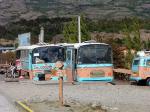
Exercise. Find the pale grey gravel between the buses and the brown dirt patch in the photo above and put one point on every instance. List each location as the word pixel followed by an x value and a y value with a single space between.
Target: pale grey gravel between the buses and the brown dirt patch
pixel 114 98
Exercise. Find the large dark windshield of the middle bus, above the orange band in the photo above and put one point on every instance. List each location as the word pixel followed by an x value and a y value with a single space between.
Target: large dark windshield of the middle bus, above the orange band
pixel 95 54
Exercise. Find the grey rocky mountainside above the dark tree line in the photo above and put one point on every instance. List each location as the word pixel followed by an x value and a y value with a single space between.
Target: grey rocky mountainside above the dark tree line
pixel 14 10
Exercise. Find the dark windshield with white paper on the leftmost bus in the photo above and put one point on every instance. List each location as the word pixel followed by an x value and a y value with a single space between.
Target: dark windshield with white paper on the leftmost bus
pixel 49 54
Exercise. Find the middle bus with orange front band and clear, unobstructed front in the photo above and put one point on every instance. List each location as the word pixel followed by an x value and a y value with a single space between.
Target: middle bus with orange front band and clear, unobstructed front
pixel 88 62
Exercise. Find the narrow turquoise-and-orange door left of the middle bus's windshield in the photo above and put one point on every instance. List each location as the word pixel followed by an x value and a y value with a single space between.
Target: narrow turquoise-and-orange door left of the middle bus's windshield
pixel 70 64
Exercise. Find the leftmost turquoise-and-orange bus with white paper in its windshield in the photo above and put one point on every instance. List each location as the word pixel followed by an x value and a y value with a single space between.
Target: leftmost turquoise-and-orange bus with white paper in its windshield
pixel 38 60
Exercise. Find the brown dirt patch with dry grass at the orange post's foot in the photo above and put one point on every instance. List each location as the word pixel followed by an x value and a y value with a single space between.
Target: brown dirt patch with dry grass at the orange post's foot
pixel 54 106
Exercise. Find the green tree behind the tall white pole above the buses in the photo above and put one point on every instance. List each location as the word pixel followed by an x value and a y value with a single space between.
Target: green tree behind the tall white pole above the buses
pixel 70 31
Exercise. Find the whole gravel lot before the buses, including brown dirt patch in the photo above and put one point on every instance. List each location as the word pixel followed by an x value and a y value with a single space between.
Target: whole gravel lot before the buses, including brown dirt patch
pixel 98 97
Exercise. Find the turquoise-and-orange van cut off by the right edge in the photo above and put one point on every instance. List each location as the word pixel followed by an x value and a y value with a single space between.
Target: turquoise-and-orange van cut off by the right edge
pixel 141 67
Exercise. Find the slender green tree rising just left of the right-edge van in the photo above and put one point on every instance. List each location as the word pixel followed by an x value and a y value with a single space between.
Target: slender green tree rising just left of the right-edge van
pixel 132 40
